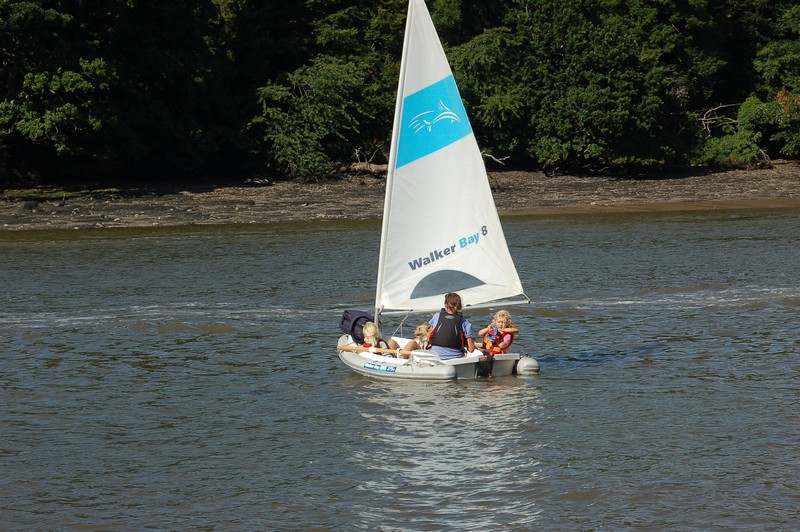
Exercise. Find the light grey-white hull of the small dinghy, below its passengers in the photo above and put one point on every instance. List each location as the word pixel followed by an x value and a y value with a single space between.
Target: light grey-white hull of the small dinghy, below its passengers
pixel 426 365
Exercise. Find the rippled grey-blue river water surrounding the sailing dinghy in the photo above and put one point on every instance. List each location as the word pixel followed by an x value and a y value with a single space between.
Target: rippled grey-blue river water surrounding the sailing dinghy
pixel 186 378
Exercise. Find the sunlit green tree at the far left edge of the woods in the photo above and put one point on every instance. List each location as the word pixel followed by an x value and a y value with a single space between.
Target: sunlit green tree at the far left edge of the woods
pixel 55 86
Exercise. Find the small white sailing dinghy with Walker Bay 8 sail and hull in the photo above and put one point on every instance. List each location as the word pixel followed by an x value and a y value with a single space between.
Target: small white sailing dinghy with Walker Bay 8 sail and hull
pixel 441 232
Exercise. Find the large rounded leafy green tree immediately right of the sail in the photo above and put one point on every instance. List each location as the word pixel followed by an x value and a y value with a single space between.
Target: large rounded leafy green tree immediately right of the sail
pixel 568 84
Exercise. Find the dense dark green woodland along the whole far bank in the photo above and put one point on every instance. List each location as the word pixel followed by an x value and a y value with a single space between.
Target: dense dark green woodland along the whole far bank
pixel 109 89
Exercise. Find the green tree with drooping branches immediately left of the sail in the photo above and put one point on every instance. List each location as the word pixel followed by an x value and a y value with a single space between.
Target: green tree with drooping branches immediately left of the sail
pixel 339 107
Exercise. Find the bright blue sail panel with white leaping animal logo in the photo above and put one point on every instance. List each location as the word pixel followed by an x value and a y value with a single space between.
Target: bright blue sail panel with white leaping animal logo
pixel 433 118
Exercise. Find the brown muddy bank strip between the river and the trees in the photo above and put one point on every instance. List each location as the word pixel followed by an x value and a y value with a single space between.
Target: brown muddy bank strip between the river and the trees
pixel 361 197
